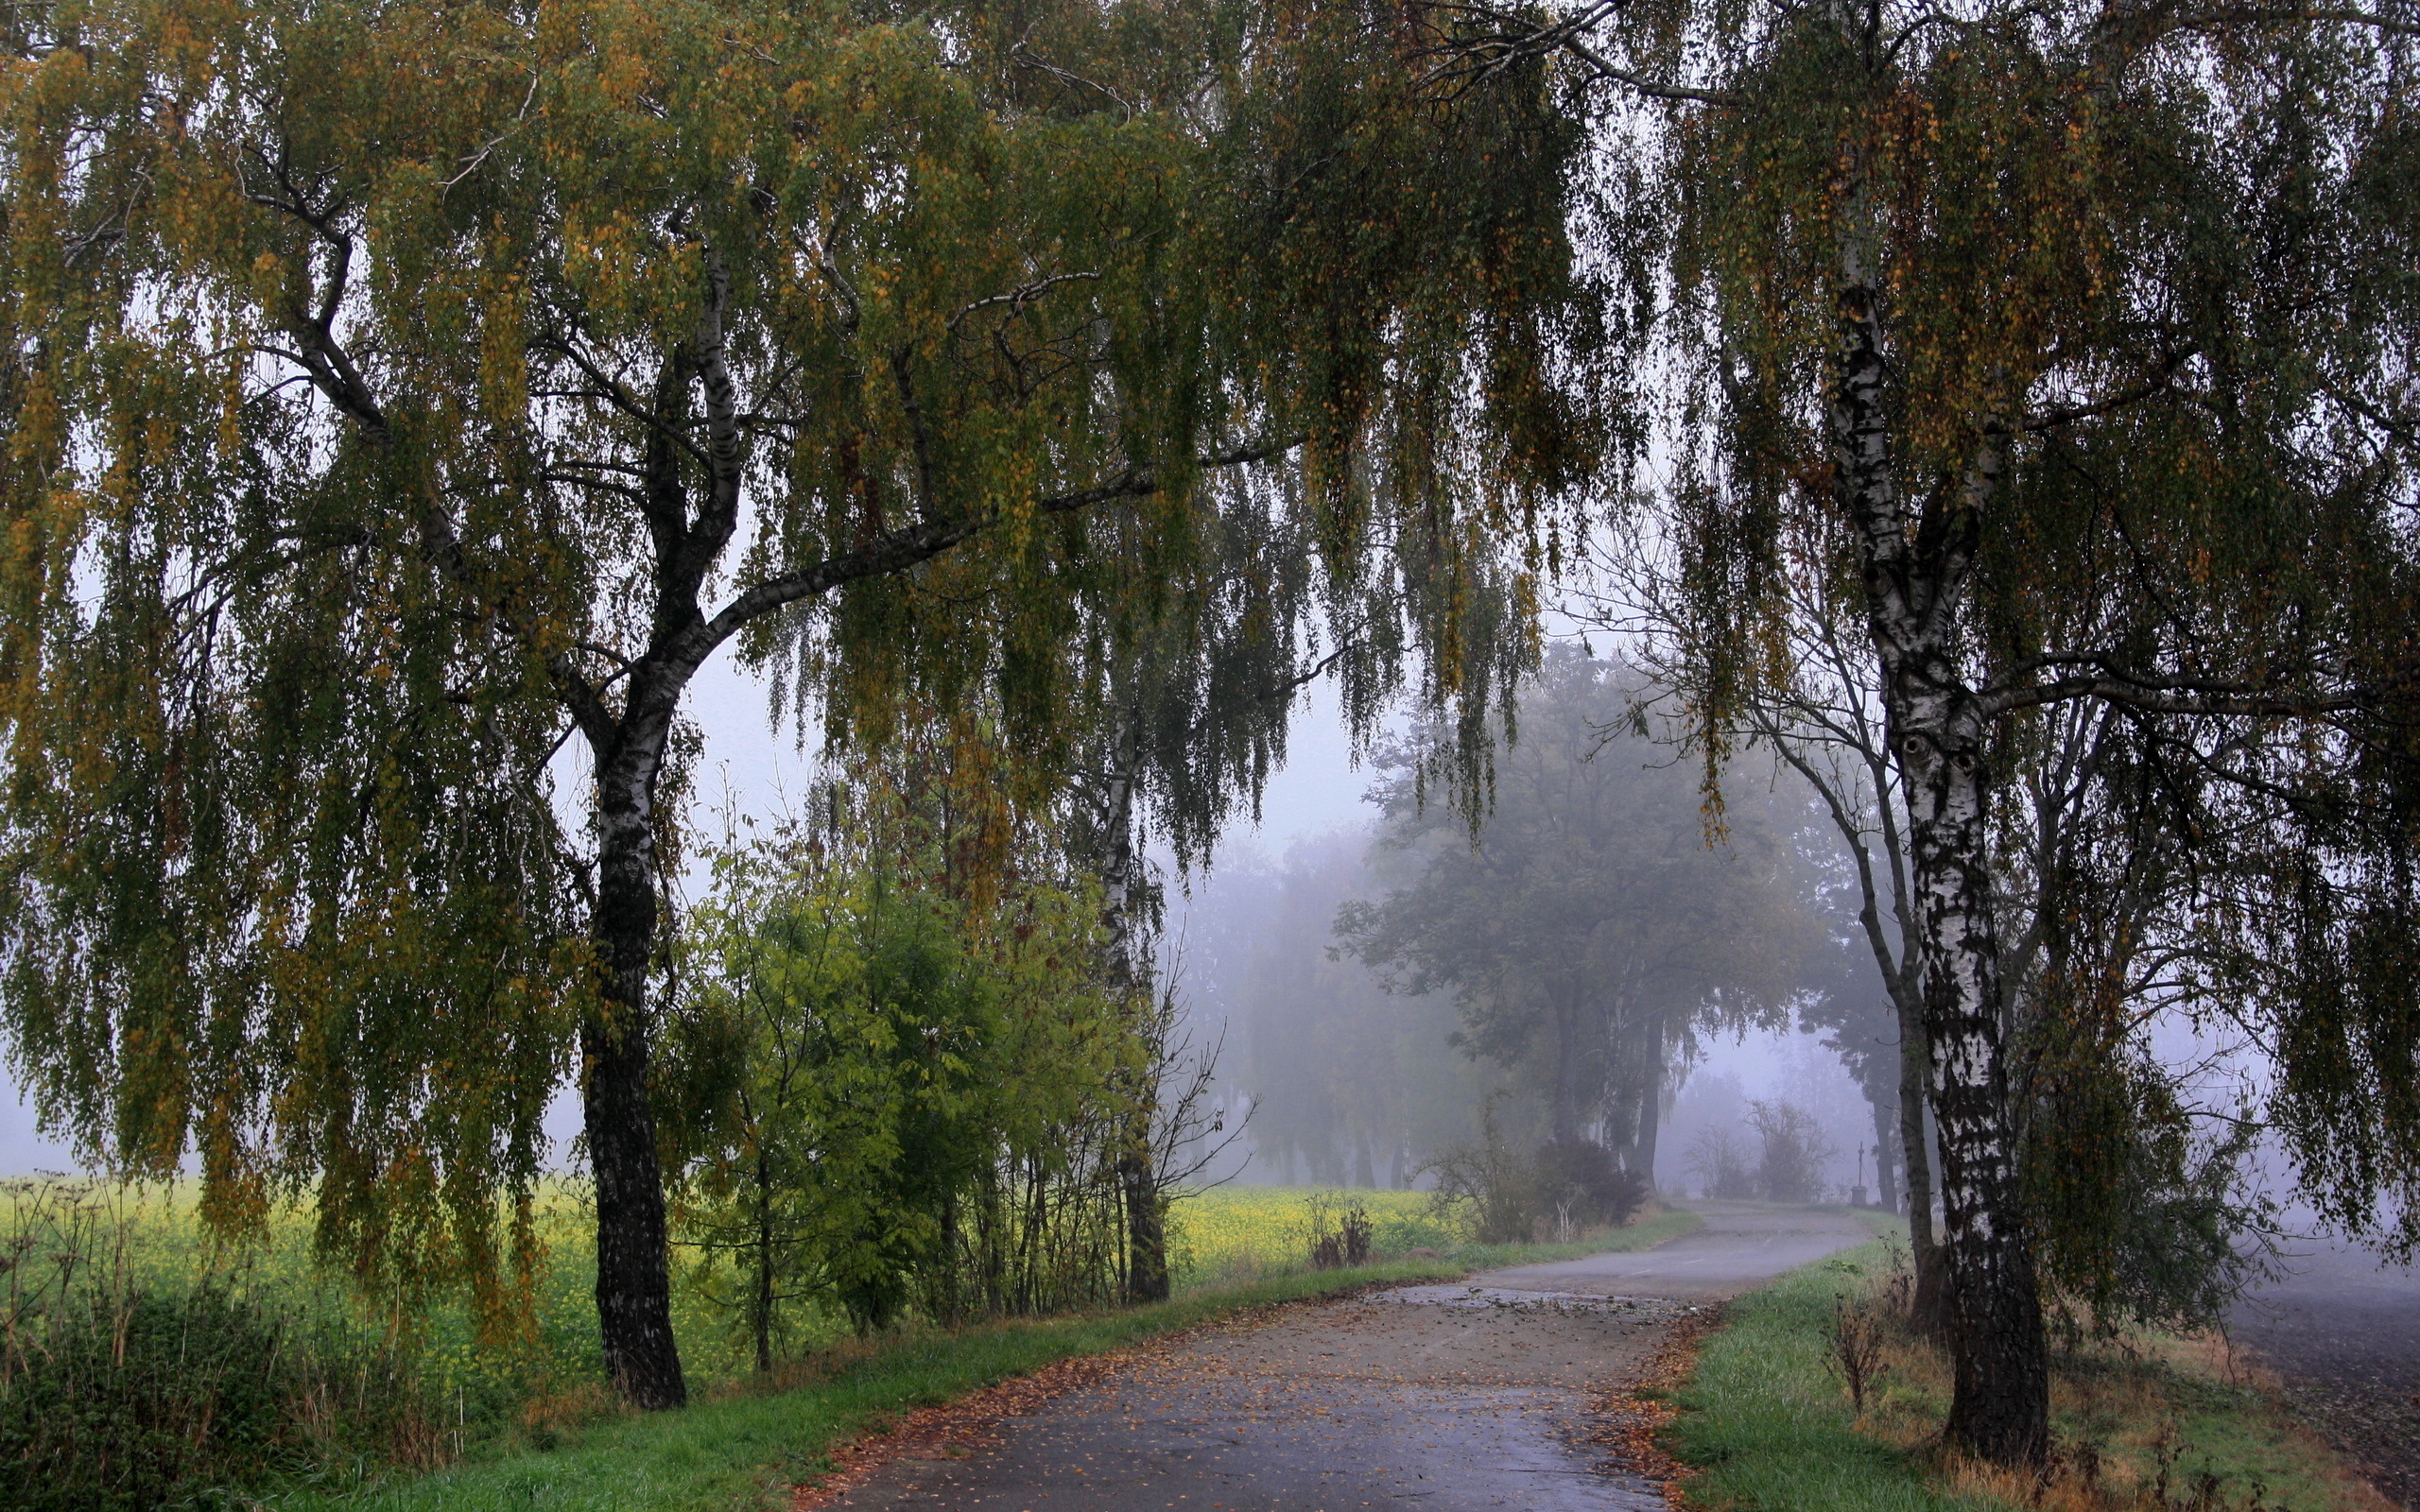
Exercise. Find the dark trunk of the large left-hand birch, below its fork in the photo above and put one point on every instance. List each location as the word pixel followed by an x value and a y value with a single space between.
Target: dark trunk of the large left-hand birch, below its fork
pixel 635 1286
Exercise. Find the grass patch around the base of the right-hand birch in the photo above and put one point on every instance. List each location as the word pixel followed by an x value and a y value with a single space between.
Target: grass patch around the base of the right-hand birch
pixel 2143 1424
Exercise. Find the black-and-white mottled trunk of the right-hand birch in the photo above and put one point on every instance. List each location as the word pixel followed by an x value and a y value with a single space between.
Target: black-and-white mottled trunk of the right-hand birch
pixel 1913 596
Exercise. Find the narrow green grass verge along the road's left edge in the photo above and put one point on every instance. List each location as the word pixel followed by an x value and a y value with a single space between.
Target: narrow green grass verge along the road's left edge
pixel 749 1448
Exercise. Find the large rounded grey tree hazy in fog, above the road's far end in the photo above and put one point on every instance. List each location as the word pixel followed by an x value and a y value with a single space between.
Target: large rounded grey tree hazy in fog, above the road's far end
pixel 1586 925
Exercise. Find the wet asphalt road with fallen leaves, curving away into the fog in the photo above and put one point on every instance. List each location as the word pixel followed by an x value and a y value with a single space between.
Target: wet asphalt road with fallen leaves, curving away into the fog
pixel 1456 1400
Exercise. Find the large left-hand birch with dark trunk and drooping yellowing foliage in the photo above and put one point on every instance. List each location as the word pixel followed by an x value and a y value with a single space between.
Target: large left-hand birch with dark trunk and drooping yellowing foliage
pixel 401 398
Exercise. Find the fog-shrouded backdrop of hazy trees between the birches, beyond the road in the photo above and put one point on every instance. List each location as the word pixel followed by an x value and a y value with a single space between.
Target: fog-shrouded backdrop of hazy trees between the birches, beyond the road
pixel 1606 959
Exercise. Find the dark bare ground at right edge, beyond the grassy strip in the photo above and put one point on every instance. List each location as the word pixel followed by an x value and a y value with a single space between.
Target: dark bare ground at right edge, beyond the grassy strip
pixel 2344 1332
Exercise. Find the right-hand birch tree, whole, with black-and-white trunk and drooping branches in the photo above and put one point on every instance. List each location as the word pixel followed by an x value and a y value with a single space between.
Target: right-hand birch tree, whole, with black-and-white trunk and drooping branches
pixel 2092 328
